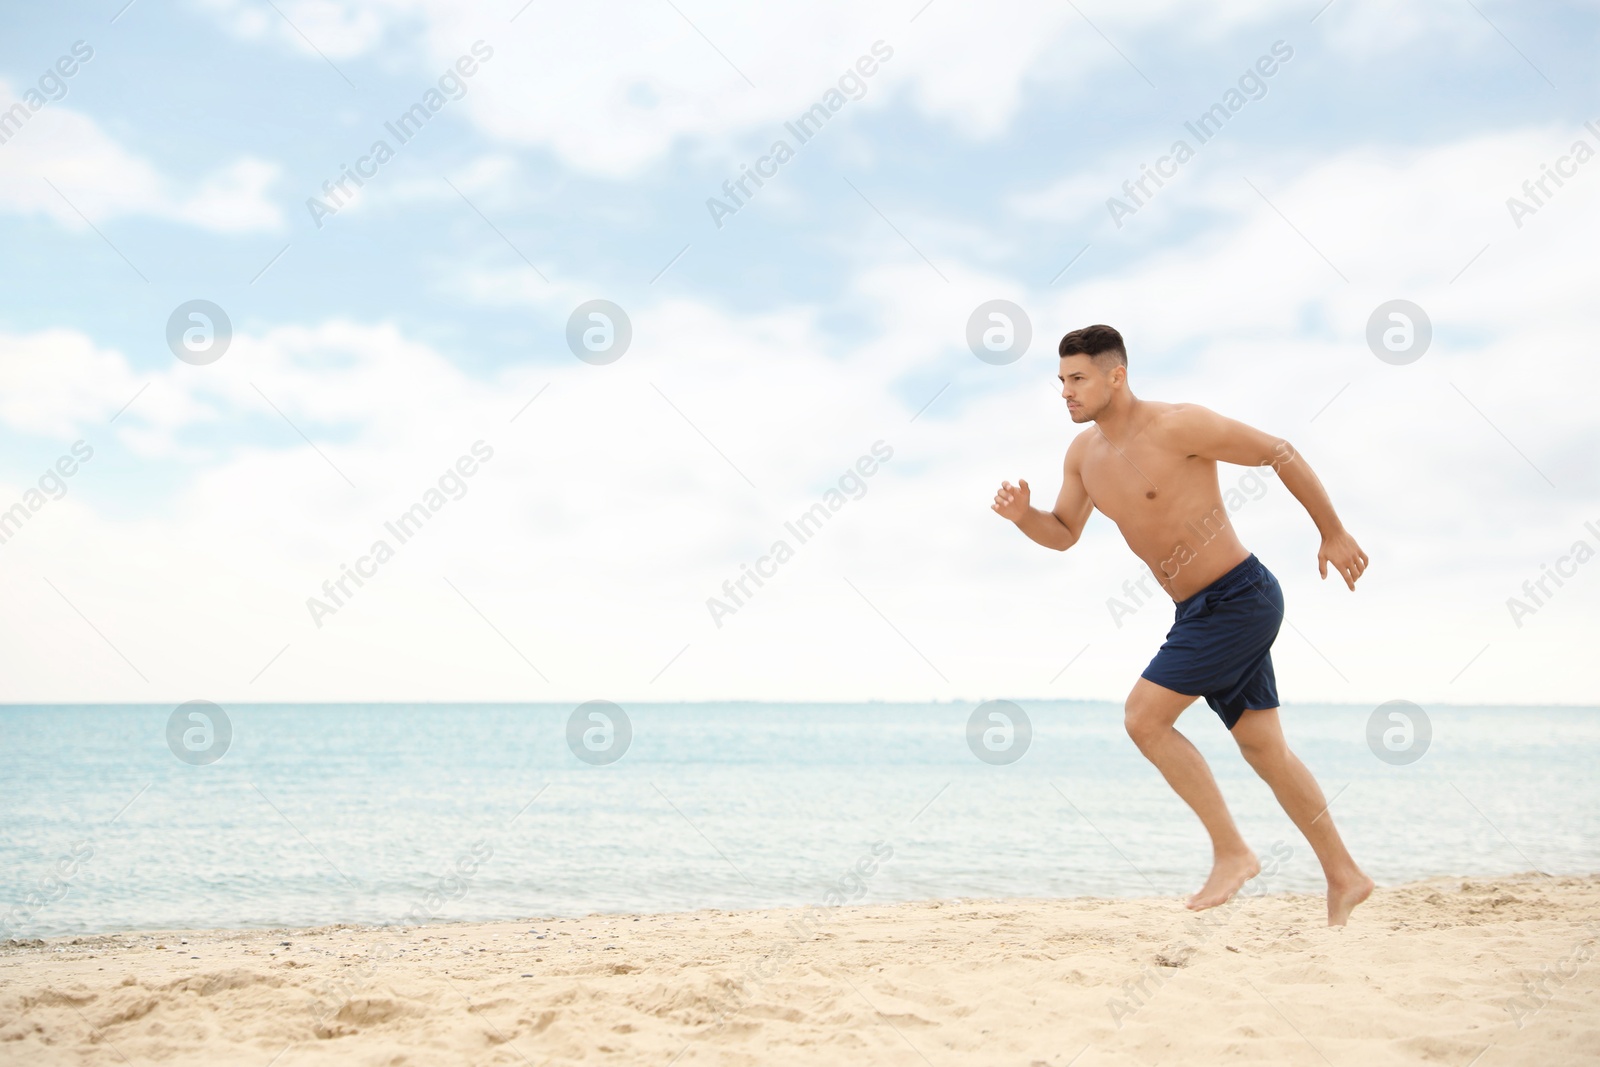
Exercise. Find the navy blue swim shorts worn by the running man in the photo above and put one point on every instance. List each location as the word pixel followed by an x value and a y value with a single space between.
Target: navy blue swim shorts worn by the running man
pixel 1222 644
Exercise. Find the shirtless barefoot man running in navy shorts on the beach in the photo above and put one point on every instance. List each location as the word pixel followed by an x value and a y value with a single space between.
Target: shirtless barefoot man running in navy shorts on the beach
pixel 1151 468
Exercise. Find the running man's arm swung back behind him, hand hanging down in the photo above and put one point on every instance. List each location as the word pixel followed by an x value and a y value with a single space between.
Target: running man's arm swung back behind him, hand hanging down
pixel 1210 436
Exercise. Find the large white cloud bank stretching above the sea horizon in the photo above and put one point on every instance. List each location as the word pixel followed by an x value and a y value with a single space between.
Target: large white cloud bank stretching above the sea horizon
pixel 607 516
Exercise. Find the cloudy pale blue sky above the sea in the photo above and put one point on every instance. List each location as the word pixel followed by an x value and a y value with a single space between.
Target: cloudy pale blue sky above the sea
pixel 281 274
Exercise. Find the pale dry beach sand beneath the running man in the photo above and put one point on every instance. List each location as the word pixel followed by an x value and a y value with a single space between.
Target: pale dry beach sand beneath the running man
pixel 1425 975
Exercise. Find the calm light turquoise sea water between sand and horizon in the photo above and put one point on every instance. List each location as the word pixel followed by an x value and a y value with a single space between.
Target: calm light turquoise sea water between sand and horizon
pixel 377 813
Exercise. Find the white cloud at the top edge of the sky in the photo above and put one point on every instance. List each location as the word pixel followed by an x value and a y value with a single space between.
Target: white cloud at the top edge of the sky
pixel 614 87
